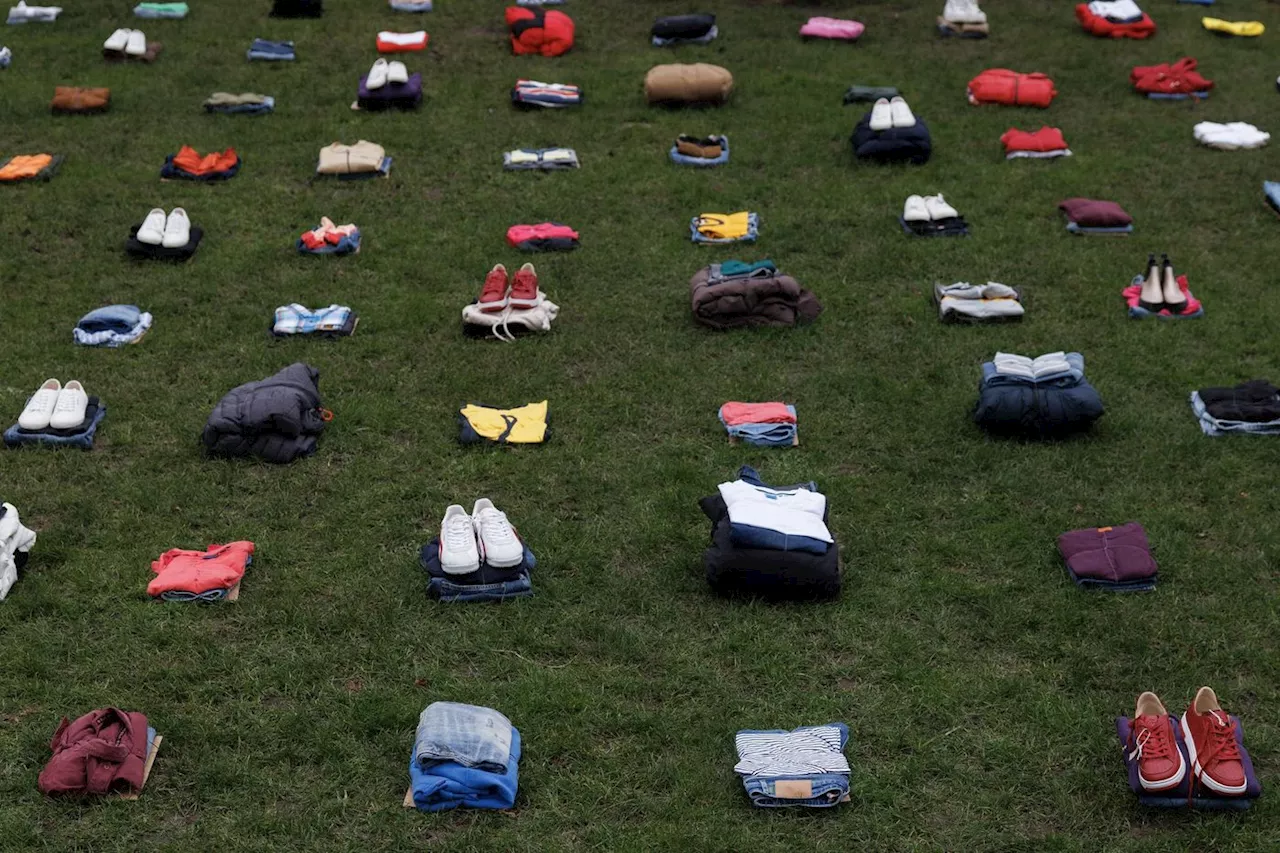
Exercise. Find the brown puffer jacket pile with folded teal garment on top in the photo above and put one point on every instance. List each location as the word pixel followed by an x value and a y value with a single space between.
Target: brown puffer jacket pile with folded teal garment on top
pixel 734 295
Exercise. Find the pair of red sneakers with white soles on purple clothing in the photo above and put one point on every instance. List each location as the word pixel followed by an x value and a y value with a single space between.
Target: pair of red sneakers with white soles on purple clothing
pixel 1209 735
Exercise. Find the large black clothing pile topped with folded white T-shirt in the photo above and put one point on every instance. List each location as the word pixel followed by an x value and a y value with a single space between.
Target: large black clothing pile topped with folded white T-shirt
pixel 770 542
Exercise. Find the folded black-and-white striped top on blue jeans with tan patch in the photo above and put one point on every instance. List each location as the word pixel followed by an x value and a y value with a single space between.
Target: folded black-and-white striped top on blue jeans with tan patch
pixel 806 767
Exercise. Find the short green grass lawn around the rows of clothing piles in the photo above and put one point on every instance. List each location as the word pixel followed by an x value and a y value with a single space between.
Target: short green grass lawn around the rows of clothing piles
pixel 980 686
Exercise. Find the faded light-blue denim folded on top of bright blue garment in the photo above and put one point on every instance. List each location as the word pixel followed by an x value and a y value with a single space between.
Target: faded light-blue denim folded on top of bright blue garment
pixel 464 755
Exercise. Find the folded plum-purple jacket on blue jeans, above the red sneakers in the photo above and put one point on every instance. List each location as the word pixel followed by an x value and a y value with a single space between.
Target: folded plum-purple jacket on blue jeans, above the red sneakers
pixel 1117 559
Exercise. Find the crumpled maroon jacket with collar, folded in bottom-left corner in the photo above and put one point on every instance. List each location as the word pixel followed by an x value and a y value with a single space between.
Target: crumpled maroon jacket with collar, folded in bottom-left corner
pixel 103 752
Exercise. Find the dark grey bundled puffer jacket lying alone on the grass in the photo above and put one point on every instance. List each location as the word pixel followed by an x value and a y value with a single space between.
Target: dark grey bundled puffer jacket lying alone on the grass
pixel 277 419
